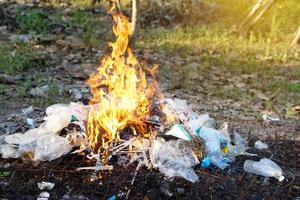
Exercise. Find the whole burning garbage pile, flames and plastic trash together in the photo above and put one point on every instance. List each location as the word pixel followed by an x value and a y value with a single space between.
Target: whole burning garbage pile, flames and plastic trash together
pixel 129 119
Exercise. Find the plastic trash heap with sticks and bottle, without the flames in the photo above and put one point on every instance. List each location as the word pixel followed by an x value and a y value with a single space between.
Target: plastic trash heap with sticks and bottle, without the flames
pixel 188 140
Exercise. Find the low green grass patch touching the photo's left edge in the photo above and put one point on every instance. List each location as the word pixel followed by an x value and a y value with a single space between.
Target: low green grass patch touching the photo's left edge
pixel 17 58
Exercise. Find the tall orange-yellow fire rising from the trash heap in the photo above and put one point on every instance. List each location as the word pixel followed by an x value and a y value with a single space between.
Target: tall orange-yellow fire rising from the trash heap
pixel 121 94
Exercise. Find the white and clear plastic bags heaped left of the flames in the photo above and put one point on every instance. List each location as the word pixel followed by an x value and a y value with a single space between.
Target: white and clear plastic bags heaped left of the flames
pixel 44 143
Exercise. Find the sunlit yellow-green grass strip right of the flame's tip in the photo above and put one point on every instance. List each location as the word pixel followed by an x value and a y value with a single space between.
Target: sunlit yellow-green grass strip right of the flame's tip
pixel 222 48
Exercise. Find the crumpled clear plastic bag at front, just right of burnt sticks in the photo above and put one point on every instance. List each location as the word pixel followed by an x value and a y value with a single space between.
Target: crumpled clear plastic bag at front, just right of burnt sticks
pixel 174 158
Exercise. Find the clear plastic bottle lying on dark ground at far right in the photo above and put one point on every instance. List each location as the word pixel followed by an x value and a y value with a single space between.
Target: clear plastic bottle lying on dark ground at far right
pixel 264 167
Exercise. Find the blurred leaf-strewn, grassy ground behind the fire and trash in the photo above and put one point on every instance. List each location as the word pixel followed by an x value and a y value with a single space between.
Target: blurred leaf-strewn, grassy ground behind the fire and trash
pixel 235 58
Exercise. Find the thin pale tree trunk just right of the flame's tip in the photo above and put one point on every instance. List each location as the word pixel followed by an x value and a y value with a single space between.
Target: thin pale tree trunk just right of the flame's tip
pixel 134 22
